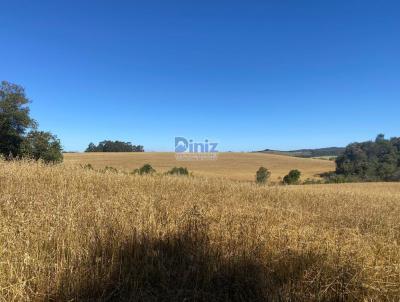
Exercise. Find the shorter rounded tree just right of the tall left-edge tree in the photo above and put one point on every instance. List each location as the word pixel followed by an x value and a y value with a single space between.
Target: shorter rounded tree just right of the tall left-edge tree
pixel 40 145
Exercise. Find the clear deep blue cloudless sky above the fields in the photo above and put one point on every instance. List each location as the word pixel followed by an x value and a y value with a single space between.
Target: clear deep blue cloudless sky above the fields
pixel 249 74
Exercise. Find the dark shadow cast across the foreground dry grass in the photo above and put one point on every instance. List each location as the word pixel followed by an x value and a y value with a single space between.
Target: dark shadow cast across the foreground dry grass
pixel 185 267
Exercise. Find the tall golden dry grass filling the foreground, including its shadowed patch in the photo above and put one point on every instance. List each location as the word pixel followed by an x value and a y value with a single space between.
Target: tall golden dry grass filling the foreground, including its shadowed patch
pixel 68 234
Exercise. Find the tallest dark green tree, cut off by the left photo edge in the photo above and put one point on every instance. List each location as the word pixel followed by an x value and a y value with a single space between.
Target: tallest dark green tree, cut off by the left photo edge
pixel 14 118
